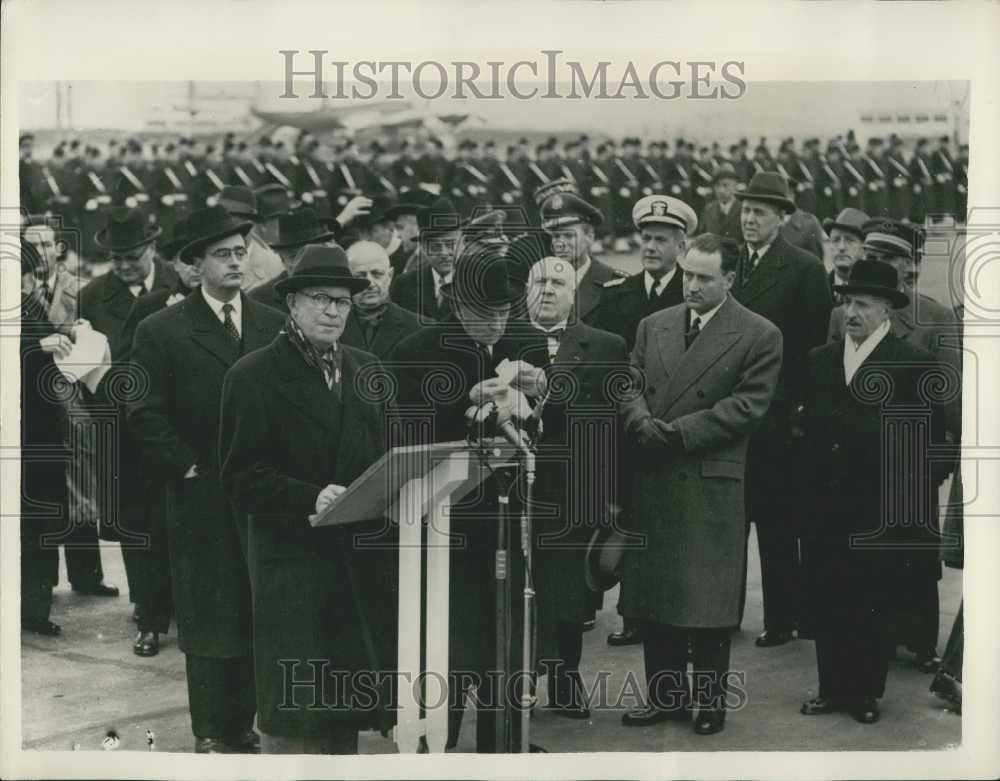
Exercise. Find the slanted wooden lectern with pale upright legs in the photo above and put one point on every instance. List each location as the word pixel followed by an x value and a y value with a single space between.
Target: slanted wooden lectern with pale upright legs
pixel 406 485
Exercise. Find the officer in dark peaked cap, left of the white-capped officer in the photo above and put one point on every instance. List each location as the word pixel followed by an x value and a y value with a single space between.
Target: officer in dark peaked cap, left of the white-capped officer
pixel 571 221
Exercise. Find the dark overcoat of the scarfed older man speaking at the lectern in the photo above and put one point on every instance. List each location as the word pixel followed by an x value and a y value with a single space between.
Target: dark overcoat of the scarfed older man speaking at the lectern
pixel 318 593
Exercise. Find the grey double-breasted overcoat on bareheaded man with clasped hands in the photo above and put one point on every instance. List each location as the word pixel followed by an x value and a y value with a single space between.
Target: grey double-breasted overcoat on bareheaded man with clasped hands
pixel 689 504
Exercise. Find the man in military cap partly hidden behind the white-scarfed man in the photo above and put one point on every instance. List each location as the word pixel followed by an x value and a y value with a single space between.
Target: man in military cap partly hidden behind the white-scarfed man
pixel 933 327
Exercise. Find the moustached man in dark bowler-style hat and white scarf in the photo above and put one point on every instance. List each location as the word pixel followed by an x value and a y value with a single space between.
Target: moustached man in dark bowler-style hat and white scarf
pixel 857 545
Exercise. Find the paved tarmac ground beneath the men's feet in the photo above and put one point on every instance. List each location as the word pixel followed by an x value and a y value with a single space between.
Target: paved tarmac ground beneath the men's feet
pixel 78 686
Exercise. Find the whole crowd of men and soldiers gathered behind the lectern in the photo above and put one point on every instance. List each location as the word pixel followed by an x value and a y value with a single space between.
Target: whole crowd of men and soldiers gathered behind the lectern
pixel 269 341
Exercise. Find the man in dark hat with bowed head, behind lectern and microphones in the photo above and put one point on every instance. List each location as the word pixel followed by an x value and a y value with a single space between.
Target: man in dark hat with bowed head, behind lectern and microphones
pixel 466 347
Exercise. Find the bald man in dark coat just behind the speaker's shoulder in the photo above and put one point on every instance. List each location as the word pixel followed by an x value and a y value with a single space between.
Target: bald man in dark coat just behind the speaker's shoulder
pixel 375 324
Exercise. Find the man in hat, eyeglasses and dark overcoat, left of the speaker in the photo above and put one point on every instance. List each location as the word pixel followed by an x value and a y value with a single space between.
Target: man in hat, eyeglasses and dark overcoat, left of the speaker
pixel 183 352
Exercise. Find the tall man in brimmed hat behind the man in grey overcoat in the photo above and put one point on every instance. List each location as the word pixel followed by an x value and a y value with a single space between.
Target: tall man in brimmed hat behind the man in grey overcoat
pixel 788 286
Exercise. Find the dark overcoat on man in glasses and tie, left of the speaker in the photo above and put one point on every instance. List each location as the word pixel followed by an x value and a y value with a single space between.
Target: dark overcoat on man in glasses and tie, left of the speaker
pixel 182 353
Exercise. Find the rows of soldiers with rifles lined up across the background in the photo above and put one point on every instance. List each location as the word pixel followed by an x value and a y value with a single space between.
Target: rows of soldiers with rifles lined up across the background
pixel 166 179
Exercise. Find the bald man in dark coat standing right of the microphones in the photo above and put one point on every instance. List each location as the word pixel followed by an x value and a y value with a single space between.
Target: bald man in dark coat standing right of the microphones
pixel 575 481
